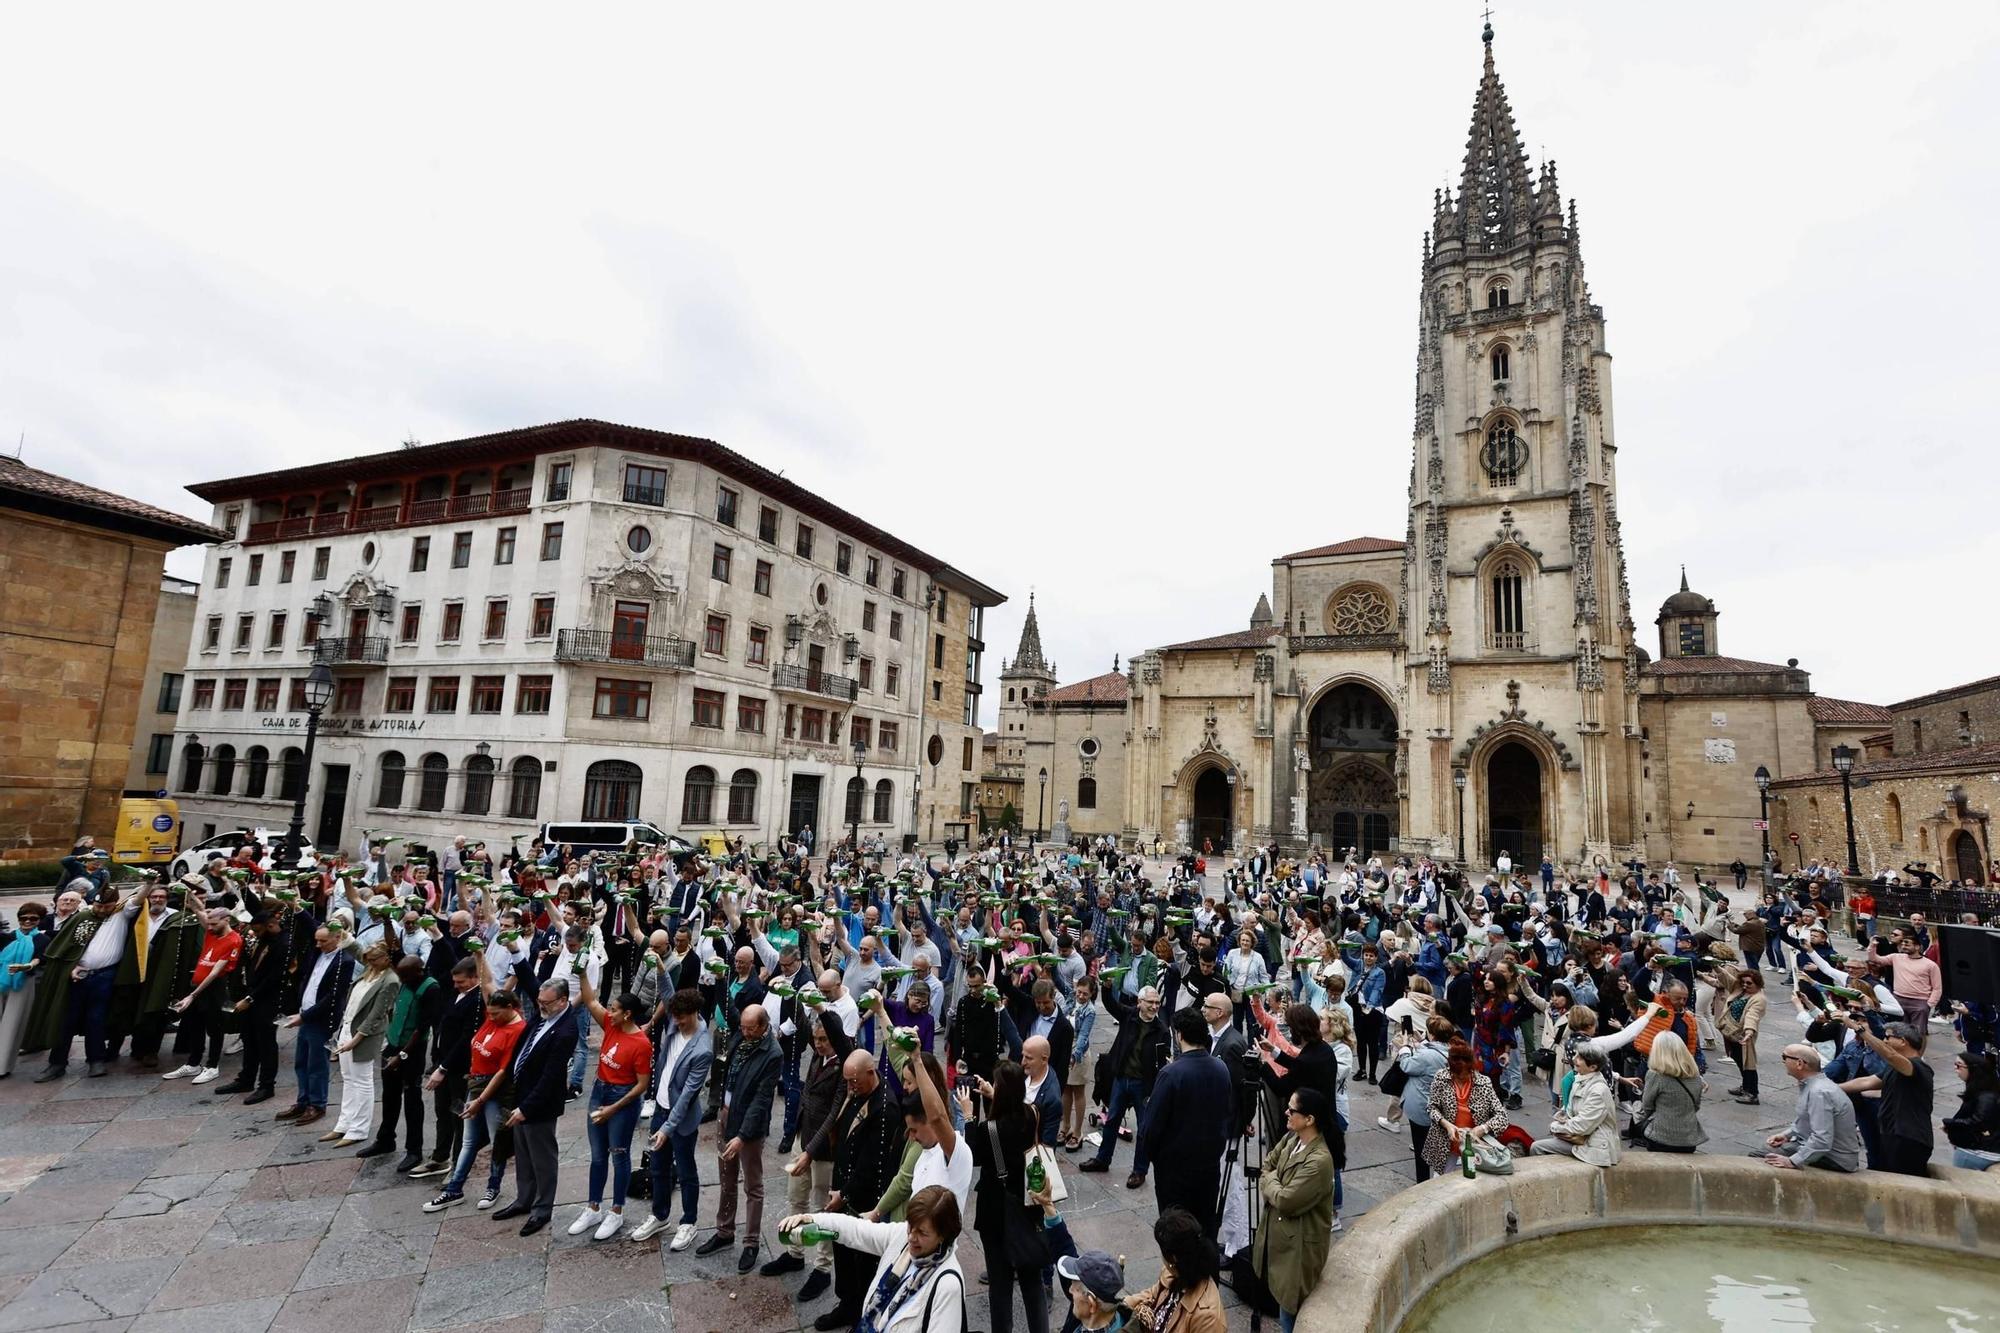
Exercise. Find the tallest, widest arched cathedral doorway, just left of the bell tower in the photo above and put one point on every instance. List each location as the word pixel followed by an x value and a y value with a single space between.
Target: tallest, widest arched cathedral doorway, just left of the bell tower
pixel 1351 798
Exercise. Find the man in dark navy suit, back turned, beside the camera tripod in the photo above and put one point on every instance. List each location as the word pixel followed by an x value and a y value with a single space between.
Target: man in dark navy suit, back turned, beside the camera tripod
pixel 1189 1124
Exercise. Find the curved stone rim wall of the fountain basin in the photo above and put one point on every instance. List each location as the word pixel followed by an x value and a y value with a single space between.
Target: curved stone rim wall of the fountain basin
pixel 1415 1240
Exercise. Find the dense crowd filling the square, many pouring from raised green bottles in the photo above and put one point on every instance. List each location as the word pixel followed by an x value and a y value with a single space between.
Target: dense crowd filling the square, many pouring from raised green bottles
pixel 935 1042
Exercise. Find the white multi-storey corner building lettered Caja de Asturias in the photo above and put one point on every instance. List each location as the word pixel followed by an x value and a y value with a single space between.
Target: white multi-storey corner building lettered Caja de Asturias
pixel 571 621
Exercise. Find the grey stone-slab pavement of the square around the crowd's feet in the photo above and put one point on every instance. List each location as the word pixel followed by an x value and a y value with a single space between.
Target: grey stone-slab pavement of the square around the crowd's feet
pixel 139 1204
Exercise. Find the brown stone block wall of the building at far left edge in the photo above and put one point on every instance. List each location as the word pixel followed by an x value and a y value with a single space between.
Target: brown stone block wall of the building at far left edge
pixel 75 633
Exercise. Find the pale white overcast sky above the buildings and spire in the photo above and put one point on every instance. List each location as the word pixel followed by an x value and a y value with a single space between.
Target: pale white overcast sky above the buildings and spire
pixel 1109 301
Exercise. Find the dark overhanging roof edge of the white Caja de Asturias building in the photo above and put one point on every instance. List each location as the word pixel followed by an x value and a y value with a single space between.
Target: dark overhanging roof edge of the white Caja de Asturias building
pixel 581 433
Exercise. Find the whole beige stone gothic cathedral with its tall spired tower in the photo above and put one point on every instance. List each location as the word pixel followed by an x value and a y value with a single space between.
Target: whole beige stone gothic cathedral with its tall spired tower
pixel 1477 688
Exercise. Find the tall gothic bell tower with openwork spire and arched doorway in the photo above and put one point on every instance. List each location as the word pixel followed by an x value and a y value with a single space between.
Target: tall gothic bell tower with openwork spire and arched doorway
pixel 1521 668
